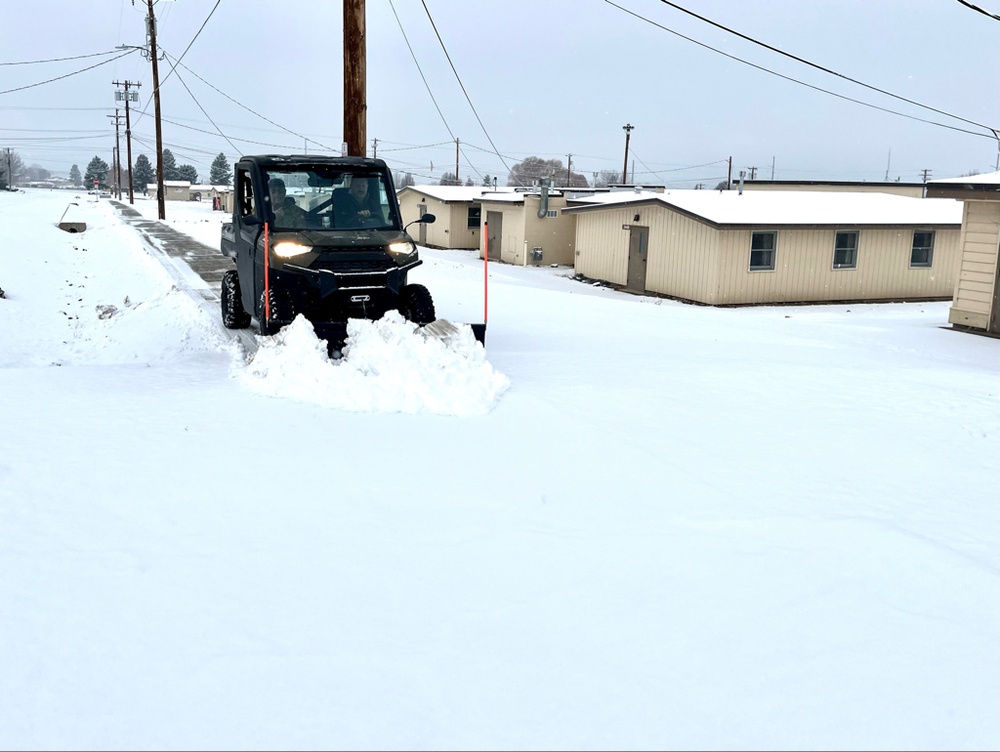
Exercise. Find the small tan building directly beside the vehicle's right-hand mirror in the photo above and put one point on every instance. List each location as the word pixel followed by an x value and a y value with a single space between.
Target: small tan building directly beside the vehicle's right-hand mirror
pixel 457 215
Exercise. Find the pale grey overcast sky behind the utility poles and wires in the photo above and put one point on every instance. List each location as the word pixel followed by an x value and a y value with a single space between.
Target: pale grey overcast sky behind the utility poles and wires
pixel 546 77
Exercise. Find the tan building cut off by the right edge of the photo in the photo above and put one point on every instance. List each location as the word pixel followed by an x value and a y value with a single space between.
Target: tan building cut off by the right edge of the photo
pixel 975 305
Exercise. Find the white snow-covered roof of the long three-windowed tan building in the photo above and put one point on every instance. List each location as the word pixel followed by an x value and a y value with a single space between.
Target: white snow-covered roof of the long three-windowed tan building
pixel 791 207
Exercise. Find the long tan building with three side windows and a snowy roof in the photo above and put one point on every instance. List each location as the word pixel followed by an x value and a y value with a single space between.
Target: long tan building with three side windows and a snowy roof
pixel 755 247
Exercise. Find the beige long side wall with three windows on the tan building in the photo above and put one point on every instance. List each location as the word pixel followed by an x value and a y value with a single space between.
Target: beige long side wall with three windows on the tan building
pixel 804 267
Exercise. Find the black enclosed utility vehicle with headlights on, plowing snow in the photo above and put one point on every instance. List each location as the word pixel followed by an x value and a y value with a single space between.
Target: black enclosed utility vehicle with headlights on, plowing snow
pixel 320 236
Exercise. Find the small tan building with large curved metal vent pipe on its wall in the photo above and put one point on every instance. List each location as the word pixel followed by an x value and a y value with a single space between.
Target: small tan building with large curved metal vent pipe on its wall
pixel 528 228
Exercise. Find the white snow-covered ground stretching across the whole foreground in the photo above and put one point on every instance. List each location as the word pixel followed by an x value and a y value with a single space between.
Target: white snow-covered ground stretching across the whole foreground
pixel 630 523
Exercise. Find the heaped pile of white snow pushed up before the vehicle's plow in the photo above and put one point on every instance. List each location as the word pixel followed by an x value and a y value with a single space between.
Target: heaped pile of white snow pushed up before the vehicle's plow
pixel 389 365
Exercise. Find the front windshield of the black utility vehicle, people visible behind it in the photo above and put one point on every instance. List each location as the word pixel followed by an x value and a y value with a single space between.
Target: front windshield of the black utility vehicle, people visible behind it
pixel 323 198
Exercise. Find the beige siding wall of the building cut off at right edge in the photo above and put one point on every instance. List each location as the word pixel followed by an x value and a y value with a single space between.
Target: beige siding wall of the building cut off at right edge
pixel 977 275
